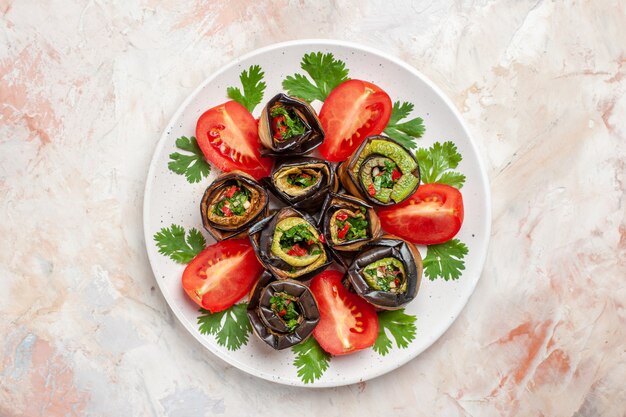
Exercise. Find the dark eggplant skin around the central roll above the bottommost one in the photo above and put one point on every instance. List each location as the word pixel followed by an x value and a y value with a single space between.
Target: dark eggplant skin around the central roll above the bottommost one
pixel 262 234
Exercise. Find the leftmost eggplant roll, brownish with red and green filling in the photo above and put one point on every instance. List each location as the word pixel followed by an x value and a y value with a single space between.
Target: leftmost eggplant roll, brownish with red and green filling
pixel 231 204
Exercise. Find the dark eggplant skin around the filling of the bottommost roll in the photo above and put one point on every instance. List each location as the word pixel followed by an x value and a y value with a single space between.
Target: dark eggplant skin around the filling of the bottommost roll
pixel 267 326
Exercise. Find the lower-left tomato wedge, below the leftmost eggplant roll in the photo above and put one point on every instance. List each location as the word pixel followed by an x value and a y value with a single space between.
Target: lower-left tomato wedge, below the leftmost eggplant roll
pixel 222 274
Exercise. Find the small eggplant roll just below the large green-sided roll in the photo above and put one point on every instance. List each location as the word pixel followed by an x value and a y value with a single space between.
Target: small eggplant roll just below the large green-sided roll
pixel 348 223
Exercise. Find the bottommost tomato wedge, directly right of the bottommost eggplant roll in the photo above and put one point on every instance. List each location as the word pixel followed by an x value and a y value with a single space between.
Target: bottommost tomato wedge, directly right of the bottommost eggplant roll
pixel 347 323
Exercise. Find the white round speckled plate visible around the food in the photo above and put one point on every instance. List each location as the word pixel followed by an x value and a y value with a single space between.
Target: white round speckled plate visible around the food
pixel 170 199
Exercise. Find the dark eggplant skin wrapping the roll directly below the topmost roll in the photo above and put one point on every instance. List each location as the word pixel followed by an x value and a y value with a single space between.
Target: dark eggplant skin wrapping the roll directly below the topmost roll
pixel 314 198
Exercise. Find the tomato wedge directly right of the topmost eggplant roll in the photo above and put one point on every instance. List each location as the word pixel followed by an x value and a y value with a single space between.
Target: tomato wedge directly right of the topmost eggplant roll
pixel 354 110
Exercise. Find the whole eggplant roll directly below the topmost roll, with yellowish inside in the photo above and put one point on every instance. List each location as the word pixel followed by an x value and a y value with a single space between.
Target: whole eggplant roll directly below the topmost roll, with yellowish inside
pixel 302 182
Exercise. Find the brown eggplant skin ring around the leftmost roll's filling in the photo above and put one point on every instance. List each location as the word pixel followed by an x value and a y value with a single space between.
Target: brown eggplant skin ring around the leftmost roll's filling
pixel 220 232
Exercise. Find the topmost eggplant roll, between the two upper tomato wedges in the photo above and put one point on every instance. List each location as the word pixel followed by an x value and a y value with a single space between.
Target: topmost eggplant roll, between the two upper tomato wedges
pixel 289 126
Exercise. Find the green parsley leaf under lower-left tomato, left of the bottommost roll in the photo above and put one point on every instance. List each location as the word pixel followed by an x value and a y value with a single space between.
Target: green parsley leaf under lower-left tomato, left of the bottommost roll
pixel 230 327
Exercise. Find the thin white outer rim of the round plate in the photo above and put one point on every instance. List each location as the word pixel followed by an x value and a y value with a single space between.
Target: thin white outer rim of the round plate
pixel 163 140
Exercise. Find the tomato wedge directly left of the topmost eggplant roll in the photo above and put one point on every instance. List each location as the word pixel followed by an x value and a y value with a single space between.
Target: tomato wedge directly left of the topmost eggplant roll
pixel 228 137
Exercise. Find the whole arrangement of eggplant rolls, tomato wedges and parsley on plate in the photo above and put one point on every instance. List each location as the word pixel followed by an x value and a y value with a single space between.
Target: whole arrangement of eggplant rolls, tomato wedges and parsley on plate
pixel 316 216
